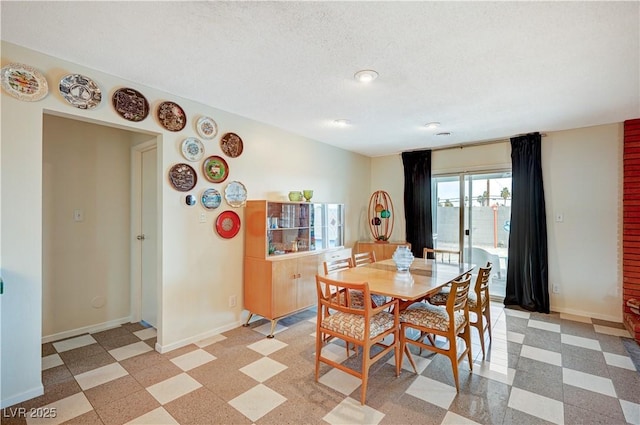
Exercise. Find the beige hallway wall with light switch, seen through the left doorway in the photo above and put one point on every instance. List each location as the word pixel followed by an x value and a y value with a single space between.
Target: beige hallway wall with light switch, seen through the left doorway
pixel 86 264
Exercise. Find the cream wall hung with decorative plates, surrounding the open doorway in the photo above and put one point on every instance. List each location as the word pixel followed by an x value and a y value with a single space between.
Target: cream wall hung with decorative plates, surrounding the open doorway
pixel 198 270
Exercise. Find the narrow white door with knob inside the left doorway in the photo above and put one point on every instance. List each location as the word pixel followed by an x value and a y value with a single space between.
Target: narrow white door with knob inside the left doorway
pixel 149 271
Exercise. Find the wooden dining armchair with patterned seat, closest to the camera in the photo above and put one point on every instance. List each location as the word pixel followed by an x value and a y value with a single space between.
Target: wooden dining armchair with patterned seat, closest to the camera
pixel 364 326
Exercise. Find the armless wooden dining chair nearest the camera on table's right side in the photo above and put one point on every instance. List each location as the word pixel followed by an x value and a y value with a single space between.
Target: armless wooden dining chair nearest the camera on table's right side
pixel 450 321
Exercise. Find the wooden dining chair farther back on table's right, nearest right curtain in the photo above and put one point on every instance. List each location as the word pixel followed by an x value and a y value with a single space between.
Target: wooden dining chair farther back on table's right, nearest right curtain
pixel 479 304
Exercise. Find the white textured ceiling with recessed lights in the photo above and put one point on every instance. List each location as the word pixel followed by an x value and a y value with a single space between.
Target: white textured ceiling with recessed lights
pixel 484 70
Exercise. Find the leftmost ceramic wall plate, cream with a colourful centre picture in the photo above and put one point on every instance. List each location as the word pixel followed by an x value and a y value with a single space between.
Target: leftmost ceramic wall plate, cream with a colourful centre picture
pixel 23 82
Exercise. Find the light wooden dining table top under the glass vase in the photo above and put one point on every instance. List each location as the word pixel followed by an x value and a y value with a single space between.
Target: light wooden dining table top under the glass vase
pixel 425 277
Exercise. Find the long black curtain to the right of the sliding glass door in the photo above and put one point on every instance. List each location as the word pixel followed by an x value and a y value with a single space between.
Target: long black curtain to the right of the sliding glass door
pixel 527 272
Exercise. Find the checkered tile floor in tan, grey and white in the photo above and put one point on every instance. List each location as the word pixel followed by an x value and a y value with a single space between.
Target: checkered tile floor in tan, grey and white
pixel 540 369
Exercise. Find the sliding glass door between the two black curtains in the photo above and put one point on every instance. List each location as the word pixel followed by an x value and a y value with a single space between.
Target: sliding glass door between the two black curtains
pixel 471 215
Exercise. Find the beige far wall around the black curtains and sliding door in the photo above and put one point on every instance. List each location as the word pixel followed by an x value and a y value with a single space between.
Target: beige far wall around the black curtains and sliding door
pixel 582 172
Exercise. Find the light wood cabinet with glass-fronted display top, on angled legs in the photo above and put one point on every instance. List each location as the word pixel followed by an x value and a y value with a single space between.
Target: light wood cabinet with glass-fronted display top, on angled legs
pixel 279 278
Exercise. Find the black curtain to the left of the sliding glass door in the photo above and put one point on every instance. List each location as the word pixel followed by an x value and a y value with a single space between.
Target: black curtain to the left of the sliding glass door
pixel 417 200
